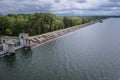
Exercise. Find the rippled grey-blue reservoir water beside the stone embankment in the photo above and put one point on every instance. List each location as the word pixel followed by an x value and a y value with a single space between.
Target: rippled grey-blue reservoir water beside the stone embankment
pixel 91 53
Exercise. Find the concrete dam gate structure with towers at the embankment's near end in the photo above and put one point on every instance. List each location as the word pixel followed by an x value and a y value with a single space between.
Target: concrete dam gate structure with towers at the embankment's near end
pixel 9 45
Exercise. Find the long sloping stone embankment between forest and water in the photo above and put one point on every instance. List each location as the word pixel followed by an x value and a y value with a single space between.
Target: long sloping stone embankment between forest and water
pixel 39 40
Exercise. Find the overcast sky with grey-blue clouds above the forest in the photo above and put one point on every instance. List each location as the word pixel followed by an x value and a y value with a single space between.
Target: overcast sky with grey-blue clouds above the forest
pixel 62 7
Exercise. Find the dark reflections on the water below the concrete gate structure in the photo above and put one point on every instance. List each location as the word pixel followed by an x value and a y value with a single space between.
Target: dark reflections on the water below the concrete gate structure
pixel 14 59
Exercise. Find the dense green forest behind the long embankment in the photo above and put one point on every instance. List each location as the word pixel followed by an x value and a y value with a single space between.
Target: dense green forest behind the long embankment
pixel 38 23
